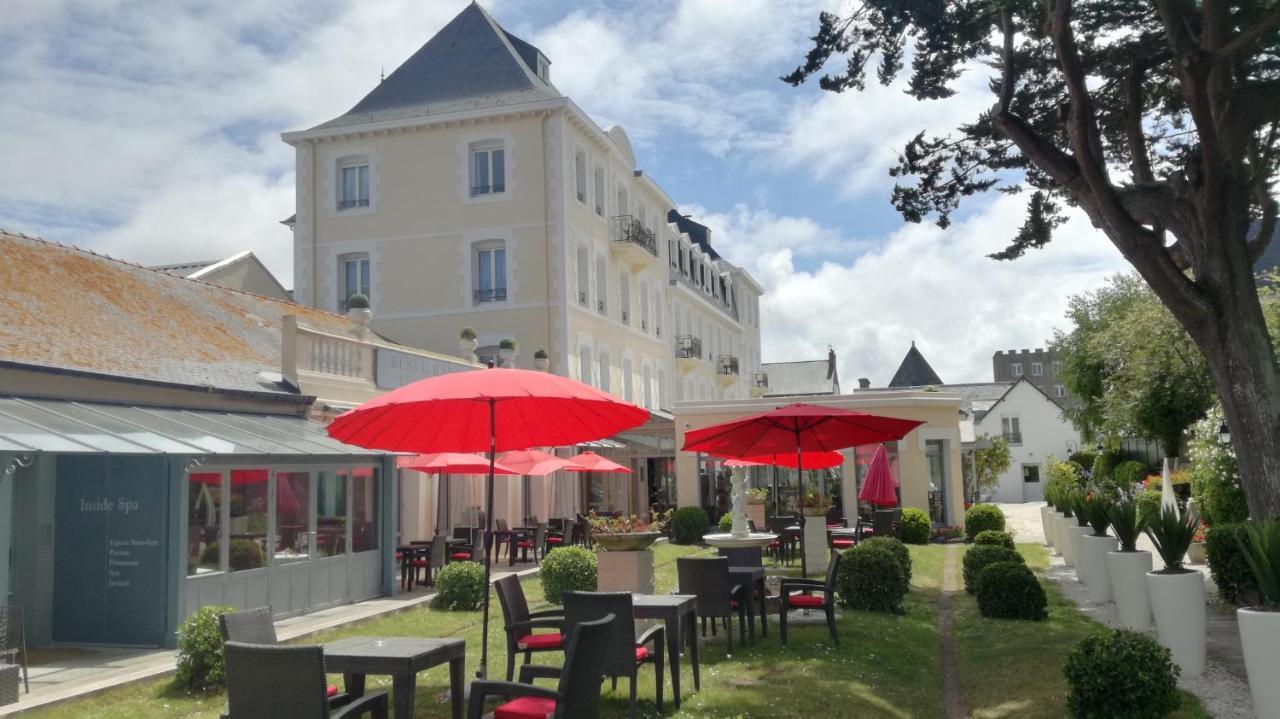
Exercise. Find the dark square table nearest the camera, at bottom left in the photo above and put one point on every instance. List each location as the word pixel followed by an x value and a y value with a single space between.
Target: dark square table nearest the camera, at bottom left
pixel 403 658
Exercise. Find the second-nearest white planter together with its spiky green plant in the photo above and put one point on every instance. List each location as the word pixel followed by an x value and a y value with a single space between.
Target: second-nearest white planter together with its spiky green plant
pixel 1177 593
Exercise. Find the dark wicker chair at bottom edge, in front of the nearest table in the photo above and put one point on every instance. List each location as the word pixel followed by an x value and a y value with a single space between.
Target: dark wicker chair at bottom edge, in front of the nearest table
pixel 286 683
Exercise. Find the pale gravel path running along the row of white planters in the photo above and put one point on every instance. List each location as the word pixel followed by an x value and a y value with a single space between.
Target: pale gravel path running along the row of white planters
pixel 1223 688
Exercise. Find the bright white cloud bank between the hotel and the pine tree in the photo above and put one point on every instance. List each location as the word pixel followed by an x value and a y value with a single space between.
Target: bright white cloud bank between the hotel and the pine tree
pixel 920 285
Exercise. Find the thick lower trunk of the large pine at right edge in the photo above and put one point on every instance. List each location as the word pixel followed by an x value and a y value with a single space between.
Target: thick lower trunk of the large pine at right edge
pixel 1242 363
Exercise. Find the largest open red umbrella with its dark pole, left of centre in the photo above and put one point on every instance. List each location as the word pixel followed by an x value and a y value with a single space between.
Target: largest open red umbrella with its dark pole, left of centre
pixel 486 411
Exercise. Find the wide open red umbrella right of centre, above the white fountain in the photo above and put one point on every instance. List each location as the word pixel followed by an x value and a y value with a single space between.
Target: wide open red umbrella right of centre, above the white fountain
pixel 797 428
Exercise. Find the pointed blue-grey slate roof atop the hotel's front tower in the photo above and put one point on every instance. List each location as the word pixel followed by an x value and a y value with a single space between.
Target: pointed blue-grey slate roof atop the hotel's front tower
pixel 472 63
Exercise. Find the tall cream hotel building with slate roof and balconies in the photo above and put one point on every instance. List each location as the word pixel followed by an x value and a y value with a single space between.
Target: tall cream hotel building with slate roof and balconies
pixel 467 191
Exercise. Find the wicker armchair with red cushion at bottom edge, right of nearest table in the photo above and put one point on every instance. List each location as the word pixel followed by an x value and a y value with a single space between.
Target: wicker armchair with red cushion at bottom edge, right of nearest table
pixel 578 697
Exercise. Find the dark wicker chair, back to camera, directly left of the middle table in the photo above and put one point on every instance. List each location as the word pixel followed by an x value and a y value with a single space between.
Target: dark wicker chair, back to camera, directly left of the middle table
pixel 624 652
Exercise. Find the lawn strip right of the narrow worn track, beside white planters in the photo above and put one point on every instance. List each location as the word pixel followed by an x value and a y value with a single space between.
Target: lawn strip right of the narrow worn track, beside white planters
pixel 1016 668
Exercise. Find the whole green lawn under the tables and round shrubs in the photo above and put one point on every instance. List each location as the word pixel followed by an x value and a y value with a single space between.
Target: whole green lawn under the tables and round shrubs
pixel 884 667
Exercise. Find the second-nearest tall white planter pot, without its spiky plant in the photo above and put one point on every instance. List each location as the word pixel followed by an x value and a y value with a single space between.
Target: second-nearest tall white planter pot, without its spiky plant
pixel 1178 604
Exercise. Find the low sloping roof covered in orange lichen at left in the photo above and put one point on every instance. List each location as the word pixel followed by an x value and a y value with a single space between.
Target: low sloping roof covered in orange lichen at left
pixel 72 309
